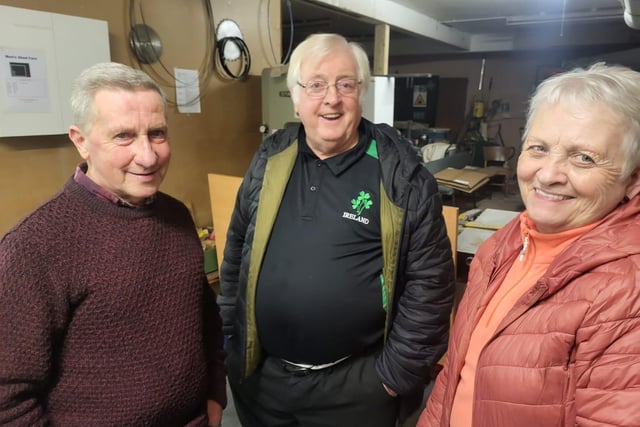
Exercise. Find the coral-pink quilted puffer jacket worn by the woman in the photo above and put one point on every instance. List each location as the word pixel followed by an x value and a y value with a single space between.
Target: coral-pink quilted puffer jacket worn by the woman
pixel 568 353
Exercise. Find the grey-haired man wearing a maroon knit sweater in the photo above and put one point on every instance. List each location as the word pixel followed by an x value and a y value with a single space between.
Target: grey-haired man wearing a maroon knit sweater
pixel 106 316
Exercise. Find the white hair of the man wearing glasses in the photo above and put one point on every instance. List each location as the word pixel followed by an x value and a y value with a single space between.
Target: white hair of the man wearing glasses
pixel 317 46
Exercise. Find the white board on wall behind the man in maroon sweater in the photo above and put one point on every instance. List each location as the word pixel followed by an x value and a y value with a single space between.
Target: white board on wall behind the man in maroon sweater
pixel 41 54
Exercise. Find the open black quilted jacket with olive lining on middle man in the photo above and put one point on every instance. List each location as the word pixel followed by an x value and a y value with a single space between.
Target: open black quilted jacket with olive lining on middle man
pixel 417 260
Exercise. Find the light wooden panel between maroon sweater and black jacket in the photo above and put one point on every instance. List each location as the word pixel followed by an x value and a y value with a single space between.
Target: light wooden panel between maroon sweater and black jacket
pixel 222 193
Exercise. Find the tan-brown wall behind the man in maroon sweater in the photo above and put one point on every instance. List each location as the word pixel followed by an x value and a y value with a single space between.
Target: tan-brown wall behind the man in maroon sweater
pixel 221 139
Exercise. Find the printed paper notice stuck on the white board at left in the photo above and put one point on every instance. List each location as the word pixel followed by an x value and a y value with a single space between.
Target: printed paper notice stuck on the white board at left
pixel 24 75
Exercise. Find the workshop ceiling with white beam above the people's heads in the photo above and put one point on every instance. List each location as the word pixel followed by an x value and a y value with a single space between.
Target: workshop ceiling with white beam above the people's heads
pixel 436 28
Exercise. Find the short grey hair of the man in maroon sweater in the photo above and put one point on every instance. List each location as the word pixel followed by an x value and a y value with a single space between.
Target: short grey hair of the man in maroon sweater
pixel 106 75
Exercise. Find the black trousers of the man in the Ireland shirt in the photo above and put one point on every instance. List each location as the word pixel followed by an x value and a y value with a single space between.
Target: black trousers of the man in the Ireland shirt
pixel 349 394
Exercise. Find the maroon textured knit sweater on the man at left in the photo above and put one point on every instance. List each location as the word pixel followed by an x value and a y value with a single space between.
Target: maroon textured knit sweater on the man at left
pixel 106 317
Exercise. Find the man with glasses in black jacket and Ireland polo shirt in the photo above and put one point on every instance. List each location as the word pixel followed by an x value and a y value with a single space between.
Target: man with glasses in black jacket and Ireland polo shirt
pixel 337 279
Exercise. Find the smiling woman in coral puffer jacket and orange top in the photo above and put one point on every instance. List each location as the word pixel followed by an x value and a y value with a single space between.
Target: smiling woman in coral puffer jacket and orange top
pixel 548 331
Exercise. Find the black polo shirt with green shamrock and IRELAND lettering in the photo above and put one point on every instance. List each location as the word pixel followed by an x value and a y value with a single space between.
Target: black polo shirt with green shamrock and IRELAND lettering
pixel 319 294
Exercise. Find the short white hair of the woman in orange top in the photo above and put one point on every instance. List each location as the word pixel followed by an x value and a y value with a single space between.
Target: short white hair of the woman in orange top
pixel 613 86
